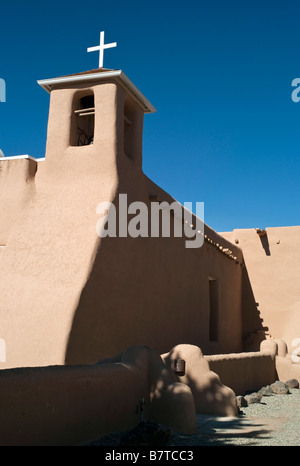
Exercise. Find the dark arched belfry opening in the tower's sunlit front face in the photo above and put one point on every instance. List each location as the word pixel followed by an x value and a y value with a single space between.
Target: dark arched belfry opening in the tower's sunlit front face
pixel 83 120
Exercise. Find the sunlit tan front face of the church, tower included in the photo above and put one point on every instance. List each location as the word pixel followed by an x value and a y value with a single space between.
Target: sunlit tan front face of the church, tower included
pixel 51 246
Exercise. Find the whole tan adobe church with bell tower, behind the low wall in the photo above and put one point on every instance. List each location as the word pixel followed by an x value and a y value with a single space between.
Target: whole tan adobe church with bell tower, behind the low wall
pixel 69 297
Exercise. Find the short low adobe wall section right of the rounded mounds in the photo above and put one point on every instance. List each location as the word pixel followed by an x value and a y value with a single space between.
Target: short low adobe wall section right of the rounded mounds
pixel 246 371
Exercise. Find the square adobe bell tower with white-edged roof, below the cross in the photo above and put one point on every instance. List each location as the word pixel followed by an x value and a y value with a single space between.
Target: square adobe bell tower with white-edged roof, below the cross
pixel 97 113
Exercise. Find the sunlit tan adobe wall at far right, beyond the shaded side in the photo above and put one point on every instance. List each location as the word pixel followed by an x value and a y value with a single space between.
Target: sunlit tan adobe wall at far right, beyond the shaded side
pixel 273 266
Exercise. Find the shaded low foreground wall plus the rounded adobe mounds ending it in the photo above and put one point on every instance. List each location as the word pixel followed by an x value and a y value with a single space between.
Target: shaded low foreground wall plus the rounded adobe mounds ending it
pixel 70 405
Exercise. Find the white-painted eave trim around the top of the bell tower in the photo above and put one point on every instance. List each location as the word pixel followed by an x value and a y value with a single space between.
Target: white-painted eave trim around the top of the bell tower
pixel 118 74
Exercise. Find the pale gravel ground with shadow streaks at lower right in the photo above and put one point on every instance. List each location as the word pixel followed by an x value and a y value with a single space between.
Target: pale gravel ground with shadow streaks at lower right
pixel 275 421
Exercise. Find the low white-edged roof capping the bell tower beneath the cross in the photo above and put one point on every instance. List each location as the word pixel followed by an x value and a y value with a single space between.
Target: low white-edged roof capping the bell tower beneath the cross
pixel 97 75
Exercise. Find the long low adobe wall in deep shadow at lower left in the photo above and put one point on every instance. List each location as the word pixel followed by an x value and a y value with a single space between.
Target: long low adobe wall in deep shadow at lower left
pixel 66 405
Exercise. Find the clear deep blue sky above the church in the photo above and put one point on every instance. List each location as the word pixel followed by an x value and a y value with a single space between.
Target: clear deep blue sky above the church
pixel 219 73
